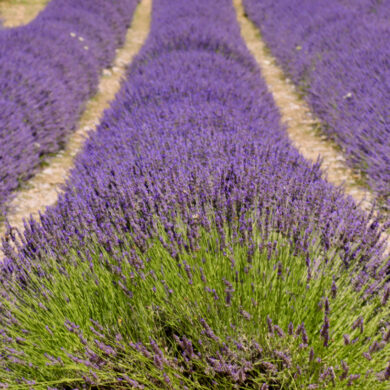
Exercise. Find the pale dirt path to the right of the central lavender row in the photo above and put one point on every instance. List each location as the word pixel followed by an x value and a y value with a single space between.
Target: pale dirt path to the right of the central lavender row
pixel 302 127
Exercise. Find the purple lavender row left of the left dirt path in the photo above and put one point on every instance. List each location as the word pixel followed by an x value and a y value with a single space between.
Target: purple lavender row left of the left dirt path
pixel 49 68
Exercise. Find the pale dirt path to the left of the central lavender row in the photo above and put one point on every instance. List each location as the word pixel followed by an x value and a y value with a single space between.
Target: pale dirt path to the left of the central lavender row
pixel 42 190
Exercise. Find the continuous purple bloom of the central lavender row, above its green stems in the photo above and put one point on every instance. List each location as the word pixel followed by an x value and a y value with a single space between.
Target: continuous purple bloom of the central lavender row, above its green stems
pixel 194 128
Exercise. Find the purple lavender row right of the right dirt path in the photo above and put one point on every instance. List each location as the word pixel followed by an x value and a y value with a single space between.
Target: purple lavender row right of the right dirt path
pixel 338 53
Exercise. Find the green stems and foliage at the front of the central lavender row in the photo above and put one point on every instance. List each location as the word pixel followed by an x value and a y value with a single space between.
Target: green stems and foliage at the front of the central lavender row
pixel 239 301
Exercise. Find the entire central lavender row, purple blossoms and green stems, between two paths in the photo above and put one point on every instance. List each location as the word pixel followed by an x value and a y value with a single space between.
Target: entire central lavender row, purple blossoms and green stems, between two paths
pixel 193 247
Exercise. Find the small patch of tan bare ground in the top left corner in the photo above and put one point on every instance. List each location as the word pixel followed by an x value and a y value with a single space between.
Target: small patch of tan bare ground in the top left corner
pixel 17 12
